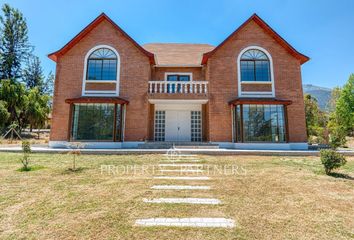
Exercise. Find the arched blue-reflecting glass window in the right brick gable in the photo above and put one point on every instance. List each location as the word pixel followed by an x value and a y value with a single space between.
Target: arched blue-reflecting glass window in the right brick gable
pixel 255 66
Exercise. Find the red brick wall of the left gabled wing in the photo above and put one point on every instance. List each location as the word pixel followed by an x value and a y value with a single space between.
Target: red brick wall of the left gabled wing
pixel 134 76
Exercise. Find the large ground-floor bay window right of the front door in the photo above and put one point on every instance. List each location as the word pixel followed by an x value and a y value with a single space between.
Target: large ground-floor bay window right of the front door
pixel 259 123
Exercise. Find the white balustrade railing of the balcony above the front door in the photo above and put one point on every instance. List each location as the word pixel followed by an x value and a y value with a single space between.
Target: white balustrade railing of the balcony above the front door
pixel 178 87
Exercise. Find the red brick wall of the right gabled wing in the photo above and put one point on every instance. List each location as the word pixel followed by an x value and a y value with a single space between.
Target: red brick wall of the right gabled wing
pixel 222 76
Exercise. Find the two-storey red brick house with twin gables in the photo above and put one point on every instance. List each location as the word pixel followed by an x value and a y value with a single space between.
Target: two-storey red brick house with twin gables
pixel 244 93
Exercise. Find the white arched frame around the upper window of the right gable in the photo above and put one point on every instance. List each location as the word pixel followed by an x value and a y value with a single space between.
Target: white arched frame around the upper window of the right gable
pixel 240 82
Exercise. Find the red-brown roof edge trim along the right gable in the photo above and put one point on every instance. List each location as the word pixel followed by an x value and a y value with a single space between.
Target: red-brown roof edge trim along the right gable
pixel 302 58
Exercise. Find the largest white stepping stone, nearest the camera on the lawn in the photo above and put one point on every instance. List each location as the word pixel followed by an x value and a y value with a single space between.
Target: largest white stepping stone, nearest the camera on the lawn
pixel 186 222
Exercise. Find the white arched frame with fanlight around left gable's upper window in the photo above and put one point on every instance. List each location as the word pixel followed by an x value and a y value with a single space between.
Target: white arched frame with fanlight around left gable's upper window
pixel 107 52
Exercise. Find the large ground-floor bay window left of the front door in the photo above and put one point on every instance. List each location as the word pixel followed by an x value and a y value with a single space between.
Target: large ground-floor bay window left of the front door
pixel 97 122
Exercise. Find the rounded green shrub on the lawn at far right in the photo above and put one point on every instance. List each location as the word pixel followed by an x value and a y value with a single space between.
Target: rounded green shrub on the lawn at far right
pixel 331 159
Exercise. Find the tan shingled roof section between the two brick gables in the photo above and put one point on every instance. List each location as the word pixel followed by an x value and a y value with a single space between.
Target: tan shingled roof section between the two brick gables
pixel 178 54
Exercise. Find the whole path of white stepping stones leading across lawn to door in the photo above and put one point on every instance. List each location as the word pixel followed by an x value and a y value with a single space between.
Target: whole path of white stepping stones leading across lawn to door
pixel 183 160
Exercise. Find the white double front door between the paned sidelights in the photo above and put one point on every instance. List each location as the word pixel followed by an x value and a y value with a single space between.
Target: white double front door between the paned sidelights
pixel 178 125
